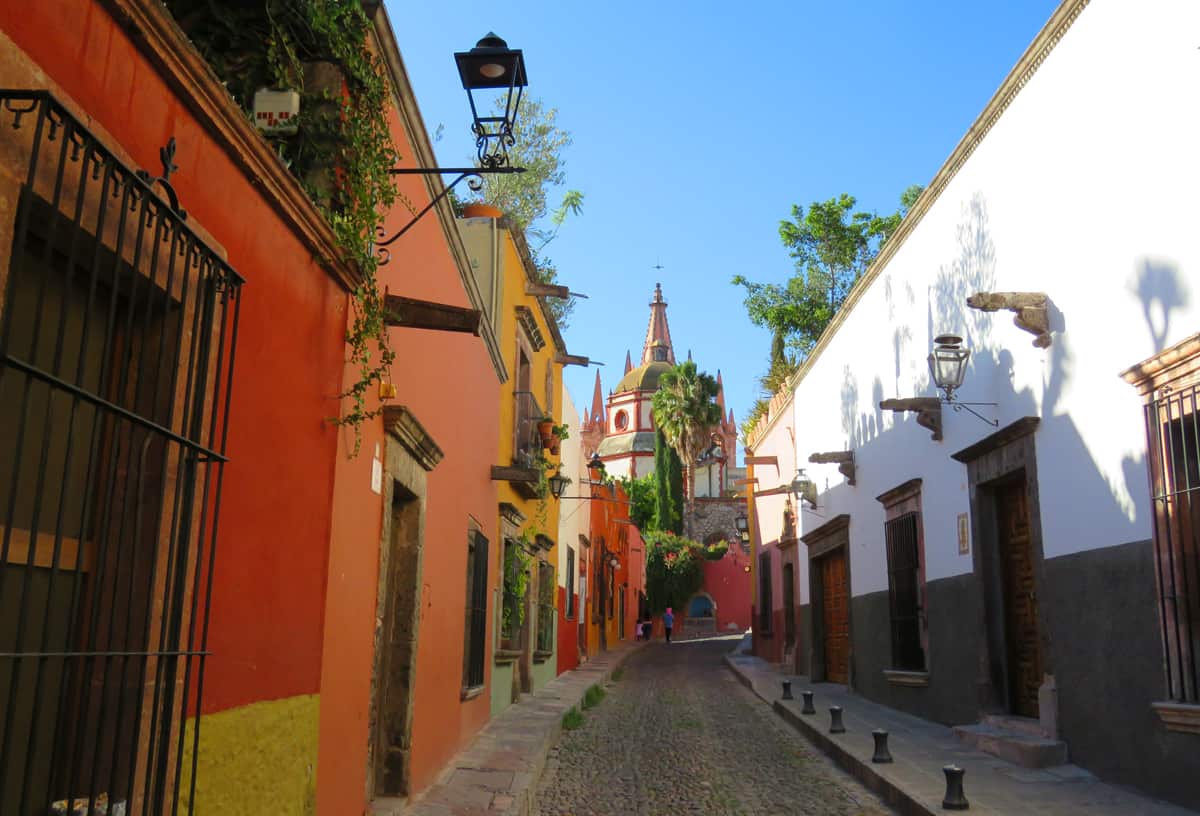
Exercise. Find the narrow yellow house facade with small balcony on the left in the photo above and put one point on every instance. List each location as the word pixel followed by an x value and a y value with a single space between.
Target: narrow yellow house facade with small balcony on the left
pixel 525 628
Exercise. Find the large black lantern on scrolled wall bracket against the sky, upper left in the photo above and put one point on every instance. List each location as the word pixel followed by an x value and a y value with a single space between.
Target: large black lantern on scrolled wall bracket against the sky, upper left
pixel 490 65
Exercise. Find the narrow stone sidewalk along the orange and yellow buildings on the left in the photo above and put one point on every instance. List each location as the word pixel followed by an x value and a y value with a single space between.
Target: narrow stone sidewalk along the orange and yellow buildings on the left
pixel 497 775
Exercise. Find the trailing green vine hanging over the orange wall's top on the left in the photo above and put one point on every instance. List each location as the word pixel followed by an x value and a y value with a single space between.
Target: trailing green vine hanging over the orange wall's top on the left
pixel 343 149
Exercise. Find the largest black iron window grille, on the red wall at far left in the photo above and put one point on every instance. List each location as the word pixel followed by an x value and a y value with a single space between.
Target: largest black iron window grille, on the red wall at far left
pixel 118 328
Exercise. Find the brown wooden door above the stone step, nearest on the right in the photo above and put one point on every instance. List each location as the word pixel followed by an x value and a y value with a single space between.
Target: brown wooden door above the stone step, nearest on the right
pixel 1022 635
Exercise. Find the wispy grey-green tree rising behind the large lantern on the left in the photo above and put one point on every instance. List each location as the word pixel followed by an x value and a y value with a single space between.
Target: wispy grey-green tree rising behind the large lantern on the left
pixel 524 197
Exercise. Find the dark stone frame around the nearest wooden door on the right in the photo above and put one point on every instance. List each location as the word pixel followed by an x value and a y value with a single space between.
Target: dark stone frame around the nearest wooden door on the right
pixel 1007 455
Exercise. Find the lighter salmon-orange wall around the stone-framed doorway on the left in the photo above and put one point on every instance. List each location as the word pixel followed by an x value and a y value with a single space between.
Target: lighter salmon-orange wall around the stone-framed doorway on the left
pixel 448 382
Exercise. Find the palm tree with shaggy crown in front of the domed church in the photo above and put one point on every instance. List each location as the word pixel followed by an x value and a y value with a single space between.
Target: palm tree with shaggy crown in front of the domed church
pixel 686 410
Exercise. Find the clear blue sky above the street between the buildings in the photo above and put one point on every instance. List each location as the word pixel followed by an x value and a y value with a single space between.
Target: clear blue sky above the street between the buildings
pixel 697 127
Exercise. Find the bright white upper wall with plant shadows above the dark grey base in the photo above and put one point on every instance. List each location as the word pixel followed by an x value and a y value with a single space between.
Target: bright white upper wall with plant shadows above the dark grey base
pixel 1085 190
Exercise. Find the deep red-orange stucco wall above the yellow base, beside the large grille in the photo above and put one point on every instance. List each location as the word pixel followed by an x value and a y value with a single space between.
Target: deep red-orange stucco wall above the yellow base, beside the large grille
pixel 271 569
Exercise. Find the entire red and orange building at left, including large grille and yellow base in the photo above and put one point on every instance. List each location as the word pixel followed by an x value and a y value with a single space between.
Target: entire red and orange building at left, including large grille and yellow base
pixel 265 574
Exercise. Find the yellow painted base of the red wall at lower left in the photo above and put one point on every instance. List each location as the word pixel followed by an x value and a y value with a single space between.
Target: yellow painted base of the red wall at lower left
pixel 259 759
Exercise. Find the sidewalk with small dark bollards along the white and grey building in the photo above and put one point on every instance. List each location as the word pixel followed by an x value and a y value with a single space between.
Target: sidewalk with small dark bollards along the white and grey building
pixel 914 783
